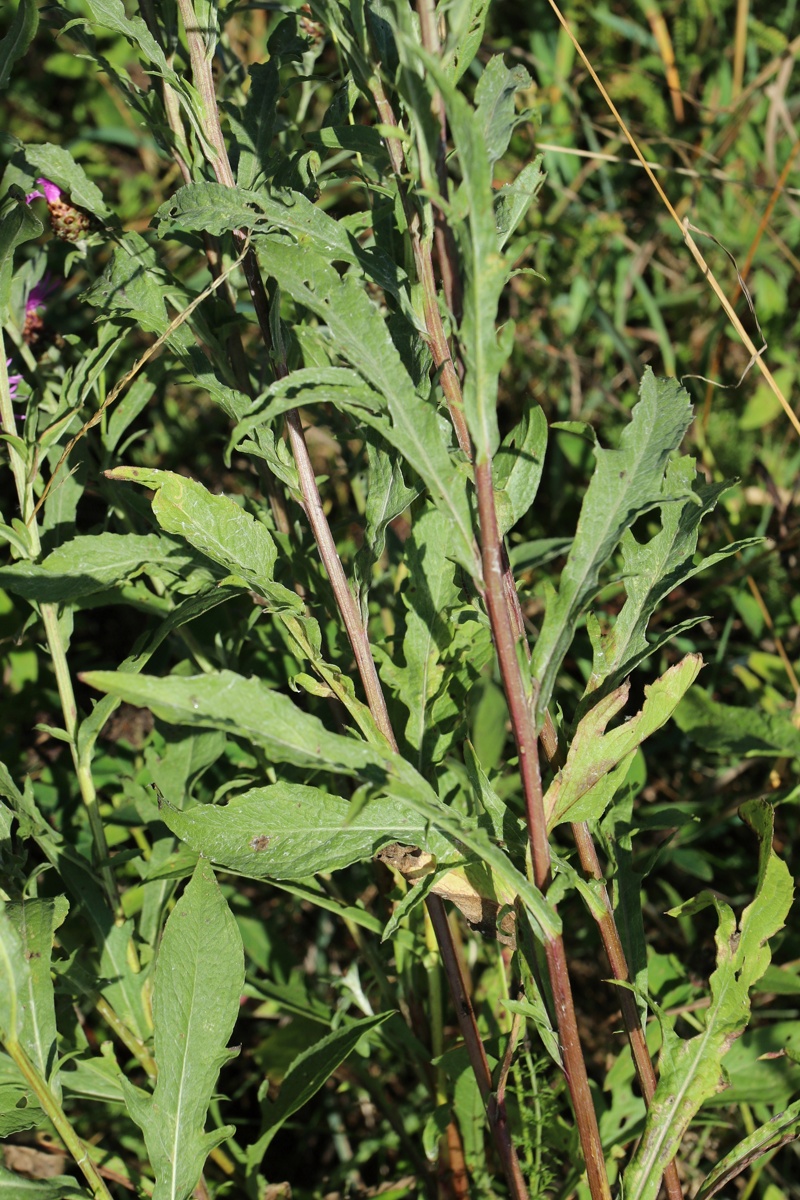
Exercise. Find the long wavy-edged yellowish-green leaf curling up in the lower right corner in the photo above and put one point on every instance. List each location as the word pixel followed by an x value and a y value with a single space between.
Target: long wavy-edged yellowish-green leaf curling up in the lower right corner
pixel 691 1072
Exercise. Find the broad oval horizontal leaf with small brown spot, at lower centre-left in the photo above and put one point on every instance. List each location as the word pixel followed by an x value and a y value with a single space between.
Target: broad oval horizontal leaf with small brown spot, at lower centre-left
pixel 290 832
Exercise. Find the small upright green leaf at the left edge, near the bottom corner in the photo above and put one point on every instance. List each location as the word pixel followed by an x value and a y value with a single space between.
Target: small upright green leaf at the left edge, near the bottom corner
pixel 35 922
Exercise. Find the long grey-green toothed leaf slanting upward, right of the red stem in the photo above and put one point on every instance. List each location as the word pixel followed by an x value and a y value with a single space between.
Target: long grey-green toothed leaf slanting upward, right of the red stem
pixel 627 483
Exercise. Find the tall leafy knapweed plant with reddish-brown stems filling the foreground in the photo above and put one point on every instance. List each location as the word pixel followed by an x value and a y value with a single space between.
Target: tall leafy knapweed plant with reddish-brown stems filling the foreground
pixel 312 921
